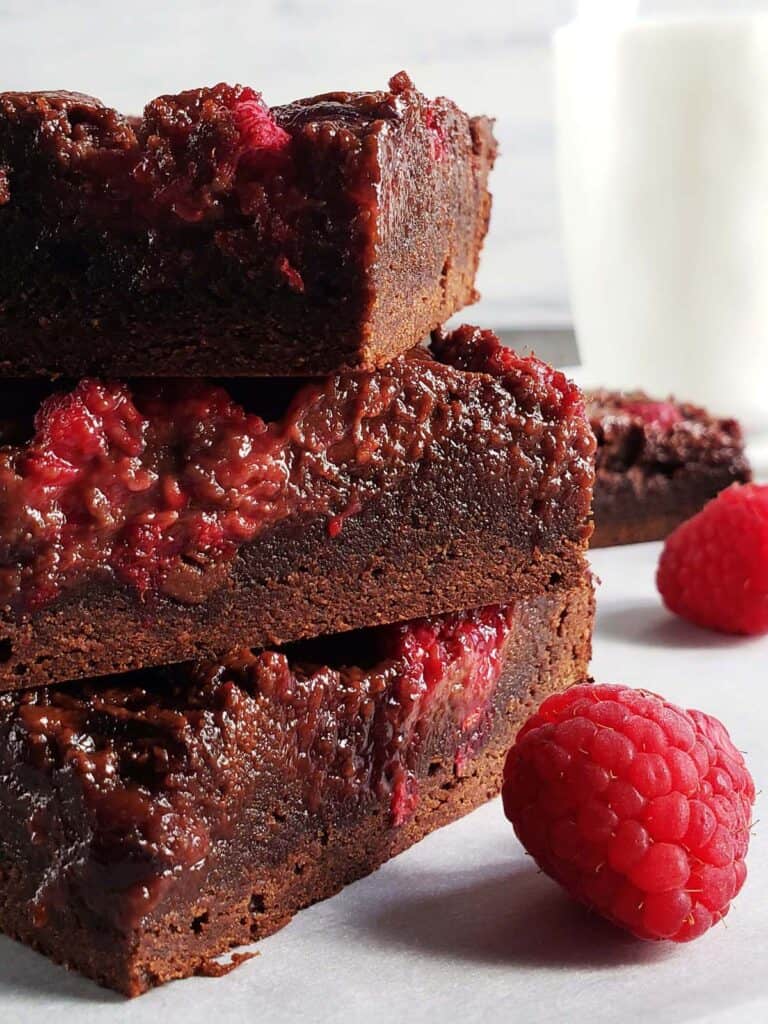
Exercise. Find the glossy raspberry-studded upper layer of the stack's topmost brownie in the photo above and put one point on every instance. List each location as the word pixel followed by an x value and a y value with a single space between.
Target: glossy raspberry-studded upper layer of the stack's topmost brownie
pixel 218 155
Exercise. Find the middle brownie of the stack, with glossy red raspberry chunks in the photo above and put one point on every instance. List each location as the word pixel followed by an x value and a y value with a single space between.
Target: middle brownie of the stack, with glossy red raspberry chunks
pixel 161 522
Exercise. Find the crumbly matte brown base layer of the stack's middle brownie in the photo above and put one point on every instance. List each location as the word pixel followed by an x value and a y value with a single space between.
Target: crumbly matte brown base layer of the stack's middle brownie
pixel 106 632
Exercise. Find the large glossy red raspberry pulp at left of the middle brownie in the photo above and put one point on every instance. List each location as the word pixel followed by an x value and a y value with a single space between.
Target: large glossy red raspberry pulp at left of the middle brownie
pixel 135 486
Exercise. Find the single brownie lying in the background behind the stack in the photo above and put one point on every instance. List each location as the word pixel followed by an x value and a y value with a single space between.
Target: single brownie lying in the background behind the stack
pixel 658 464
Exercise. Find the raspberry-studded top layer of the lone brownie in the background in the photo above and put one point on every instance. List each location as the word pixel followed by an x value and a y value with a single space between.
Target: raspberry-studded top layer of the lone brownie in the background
pixel 635 431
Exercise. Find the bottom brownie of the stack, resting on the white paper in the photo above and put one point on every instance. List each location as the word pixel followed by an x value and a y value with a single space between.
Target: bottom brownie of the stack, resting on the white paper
pixel 150 823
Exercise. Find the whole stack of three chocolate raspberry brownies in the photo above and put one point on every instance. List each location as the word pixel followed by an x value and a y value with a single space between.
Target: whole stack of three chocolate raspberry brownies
pixel 278 585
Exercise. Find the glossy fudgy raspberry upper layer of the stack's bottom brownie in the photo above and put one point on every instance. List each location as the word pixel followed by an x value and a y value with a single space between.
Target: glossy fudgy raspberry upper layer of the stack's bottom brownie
pixel 118 790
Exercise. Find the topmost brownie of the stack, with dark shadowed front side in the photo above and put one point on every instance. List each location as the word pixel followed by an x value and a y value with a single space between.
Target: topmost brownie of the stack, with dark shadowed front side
pixel 218 237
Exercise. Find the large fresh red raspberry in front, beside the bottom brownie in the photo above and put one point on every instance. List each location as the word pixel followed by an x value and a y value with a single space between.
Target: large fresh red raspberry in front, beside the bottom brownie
pixel 638 808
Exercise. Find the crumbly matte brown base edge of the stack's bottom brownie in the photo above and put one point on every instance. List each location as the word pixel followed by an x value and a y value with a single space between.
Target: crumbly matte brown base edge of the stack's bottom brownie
pixel 182 942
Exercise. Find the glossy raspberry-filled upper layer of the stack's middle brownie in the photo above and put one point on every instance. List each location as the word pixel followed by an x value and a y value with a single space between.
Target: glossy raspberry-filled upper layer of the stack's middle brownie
pixel 157 486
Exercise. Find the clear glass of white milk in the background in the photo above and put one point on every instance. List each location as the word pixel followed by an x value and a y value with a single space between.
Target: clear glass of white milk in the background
pixel 663 156
